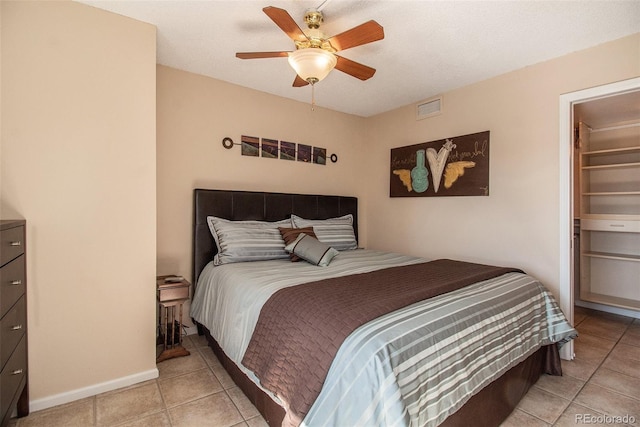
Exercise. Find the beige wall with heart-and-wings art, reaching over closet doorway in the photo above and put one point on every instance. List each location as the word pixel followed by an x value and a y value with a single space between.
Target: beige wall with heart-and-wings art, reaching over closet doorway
pixel 518 224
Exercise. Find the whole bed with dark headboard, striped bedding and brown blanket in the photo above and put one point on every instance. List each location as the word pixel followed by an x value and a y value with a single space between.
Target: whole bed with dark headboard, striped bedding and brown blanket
pixel 238 328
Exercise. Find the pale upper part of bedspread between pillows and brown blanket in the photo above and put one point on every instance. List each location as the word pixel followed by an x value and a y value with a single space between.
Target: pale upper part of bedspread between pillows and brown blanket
pixel 231 316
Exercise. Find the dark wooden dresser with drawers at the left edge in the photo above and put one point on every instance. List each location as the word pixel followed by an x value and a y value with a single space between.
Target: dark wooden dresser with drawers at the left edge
pixel 14 382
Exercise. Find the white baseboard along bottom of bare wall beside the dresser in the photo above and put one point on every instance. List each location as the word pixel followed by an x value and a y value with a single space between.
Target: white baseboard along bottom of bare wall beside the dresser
pixel 92 390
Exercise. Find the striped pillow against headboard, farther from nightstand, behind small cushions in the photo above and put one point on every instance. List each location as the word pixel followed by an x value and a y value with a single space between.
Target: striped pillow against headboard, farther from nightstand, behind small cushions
pixel 335 232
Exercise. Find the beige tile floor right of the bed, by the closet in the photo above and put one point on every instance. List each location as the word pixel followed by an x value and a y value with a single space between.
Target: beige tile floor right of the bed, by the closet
pixel 602 380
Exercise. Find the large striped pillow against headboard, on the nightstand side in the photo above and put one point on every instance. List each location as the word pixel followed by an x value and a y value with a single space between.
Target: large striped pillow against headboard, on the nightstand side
pixel 240 241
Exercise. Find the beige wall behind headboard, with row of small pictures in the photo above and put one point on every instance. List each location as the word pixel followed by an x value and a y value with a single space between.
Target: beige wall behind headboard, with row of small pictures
pixel 195 113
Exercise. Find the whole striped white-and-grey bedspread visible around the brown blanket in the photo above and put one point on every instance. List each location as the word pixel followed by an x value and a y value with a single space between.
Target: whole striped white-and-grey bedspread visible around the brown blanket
pixel 368 360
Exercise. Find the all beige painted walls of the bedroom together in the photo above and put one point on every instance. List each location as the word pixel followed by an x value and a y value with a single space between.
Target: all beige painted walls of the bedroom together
pixel 79 148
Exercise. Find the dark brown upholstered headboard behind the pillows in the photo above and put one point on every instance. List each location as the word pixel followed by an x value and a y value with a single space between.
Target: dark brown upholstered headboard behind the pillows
pixel 254 205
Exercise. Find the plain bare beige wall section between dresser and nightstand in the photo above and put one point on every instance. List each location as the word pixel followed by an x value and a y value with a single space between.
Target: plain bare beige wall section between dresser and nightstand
pixel 78 162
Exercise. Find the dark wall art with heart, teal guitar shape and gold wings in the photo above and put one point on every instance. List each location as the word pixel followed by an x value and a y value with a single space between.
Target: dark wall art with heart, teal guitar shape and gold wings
pixel 457 166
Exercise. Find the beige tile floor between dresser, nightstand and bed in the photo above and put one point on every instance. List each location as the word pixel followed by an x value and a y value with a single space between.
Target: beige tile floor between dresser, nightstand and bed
pixel 190 391
